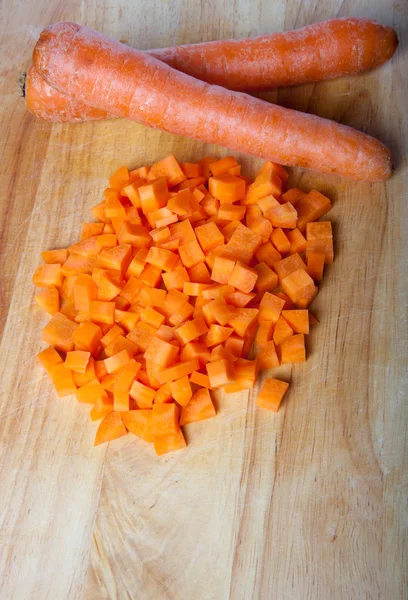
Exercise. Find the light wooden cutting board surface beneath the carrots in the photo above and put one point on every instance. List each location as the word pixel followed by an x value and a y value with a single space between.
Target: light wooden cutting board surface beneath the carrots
pixel 310 503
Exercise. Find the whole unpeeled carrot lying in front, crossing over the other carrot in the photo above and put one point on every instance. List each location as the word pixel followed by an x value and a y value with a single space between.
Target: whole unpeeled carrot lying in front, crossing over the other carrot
pixel 127 83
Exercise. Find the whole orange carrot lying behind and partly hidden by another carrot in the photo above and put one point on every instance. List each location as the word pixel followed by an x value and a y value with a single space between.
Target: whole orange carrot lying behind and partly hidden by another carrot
pixel 326 50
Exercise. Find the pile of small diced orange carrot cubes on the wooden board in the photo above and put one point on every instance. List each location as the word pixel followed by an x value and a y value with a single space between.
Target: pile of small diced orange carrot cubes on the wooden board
pixel 192 279
